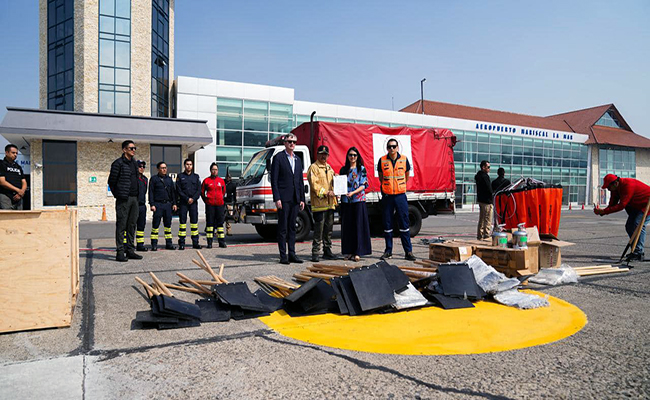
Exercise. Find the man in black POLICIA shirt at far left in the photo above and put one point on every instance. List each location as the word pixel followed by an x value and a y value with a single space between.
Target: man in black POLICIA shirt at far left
pixel 13 184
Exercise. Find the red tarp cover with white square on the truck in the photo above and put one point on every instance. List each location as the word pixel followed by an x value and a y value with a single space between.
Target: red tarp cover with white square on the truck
pixel 432 157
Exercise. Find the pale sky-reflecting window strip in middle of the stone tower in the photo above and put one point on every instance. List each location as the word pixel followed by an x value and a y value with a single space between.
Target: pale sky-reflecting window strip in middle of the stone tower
pixel 115 56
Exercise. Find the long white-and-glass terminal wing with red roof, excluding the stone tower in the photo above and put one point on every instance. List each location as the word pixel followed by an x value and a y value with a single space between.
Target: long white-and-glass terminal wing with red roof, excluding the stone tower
pixel 574 149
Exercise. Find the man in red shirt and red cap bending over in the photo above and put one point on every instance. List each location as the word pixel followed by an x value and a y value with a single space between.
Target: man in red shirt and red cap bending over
pixel 631 195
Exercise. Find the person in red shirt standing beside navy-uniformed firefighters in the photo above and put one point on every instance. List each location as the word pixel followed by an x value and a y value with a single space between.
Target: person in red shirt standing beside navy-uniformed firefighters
pixel 213 191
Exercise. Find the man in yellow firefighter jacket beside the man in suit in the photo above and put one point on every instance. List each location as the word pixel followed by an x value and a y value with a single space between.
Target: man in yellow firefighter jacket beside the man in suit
pixel 323 201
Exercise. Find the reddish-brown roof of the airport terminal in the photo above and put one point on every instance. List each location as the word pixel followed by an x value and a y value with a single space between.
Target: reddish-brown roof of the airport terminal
pixel 579 121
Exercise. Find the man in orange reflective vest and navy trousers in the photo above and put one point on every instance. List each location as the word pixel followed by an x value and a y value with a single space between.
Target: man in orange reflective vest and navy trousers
pixel 394 171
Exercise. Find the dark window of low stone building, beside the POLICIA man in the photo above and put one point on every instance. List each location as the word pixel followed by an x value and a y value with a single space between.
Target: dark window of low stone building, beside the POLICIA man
pixel 59 173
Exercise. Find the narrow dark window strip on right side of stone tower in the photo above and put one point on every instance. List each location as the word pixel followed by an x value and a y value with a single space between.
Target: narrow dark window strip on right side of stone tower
pixel 160 59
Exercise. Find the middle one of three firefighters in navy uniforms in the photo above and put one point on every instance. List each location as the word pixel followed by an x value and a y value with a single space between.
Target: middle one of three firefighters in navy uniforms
pixel 162 199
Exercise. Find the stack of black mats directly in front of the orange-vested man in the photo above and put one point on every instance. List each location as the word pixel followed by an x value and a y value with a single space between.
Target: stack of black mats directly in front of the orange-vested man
pixel 368 289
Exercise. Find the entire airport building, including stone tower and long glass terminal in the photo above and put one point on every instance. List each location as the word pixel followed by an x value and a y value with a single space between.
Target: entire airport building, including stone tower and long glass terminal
pixel 107 74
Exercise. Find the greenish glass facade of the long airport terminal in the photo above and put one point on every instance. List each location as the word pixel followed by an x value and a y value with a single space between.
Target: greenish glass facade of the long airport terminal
pixel 551 161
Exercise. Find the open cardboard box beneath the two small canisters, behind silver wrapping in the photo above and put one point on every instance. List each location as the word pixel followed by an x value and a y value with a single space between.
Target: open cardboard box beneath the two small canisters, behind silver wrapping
pixel 510 261
